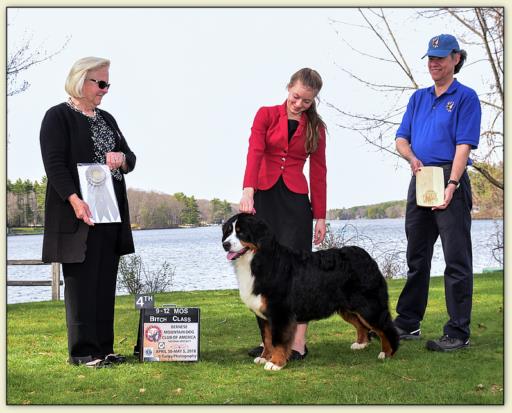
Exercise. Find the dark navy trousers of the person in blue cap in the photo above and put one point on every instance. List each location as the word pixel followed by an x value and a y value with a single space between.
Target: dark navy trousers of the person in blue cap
pixel 422 228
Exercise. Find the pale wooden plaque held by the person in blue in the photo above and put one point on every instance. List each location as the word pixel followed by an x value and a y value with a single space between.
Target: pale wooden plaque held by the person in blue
pixel 430 186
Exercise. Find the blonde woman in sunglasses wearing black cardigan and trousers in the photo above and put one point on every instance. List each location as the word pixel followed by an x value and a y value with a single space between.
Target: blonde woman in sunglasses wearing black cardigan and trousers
pixel 75 132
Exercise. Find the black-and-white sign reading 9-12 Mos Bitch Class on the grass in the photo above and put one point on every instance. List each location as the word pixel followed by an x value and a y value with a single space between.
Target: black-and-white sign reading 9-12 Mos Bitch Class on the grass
pixel 170 334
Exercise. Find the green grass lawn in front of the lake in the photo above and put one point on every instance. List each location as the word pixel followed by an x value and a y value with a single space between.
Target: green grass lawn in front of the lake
pixel 37 372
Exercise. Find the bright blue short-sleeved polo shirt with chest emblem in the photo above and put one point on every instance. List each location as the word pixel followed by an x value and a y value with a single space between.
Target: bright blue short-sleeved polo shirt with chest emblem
pixel 435 125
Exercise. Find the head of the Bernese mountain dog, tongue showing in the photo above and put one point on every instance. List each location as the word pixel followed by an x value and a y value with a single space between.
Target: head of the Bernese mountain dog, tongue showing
pixel 241 233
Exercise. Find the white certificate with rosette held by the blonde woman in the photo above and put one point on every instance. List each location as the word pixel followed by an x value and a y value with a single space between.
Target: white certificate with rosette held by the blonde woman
pixel 98 191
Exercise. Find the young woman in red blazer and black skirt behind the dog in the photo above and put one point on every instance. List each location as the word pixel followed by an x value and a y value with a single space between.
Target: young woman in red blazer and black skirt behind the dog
pixel 275 188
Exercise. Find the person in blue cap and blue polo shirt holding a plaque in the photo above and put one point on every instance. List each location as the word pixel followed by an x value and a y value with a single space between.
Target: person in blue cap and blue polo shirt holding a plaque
pixel 440 128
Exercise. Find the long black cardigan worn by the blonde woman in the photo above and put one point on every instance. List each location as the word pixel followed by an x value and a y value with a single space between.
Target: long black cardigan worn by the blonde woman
pixel 66 141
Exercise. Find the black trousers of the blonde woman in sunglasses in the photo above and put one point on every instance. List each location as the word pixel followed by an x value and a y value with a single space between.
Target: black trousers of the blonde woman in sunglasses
pixel 89 294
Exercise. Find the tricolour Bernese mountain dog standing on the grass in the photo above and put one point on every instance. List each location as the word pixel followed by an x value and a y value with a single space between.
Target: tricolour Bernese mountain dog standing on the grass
pixel 284 287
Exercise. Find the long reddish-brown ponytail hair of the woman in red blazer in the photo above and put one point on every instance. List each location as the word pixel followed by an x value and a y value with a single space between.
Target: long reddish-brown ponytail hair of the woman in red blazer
pixel 311 79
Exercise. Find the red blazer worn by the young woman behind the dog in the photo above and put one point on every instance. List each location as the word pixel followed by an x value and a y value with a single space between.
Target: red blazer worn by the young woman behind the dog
pixel 270 156
